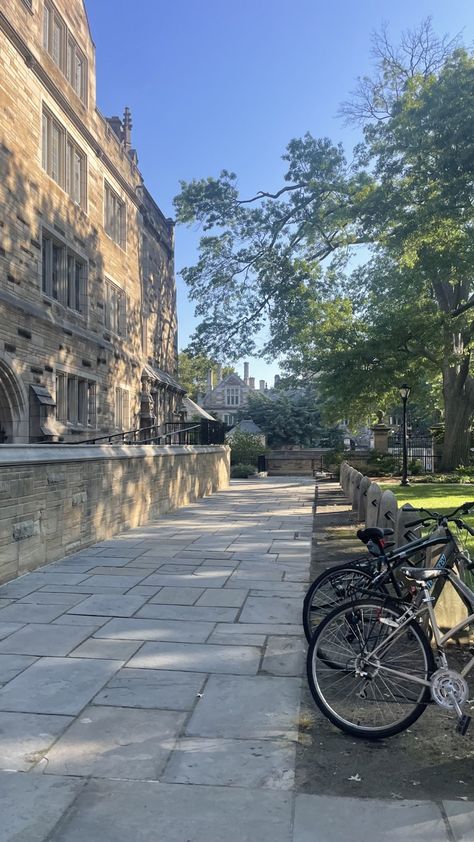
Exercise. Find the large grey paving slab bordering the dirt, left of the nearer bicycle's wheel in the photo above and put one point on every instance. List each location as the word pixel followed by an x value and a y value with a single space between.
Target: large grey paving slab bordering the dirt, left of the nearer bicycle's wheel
pixel 239 707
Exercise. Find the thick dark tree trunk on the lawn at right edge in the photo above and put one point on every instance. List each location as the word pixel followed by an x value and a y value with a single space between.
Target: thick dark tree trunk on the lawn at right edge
pixel 458 412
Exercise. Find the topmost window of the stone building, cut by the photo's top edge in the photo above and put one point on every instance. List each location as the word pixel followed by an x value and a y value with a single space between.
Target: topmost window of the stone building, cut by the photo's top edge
pixel 64 51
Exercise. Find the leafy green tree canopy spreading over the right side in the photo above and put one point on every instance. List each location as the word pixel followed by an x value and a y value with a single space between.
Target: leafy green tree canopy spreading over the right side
pixel 358 322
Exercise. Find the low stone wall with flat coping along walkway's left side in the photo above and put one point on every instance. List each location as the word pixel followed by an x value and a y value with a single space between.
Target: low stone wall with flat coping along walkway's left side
pixel 56 499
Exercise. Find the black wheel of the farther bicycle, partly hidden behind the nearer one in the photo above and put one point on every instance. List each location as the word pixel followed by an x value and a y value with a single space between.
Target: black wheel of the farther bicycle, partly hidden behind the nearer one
pixel 332 588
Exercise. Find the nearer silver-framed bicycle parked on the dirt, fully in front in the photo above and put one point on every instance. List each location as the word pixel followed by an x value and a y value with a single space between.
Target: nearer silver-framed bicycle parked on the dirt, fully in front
pixel 370 665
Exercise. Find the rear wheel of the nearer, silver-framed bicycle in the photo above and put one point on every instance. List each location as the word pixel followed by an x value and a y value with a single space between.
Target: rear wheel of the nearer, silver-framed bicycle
pixel 369 695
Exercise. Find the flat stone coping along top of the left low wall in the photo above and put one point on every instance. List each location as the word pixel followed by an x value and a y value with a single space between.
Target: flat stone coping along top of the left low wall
pixel 21 454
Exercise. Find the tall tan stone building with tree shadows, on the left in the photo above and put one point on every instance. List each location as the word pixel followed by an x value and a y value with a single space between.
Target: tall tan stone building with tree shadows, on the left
pixel 88 329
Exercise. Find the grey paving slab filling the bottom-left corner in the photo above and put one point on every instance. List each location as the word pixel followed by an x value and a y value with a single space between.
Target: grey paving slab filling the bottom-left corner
pixel 31 805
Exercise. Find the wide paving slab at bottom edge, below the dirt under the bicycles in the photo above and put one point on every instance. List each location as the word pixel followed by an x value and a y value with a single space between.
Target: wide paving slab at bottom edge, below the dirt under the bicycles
pixel 367 820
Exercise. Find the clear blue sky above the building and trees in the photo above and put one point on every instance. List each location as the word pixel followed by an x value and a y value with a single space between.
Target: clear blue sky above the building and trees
pixel 215 84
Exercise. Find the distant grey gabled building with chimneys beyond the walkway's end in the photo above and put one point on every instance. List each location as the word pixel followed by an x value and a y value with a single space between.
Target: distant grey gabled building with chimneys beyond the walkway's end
pixel 229 396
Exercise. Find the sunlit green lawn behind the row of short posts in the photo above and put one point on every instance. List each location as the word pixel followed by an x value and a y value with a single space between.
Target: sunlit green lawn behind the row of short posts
pixel 437 497
